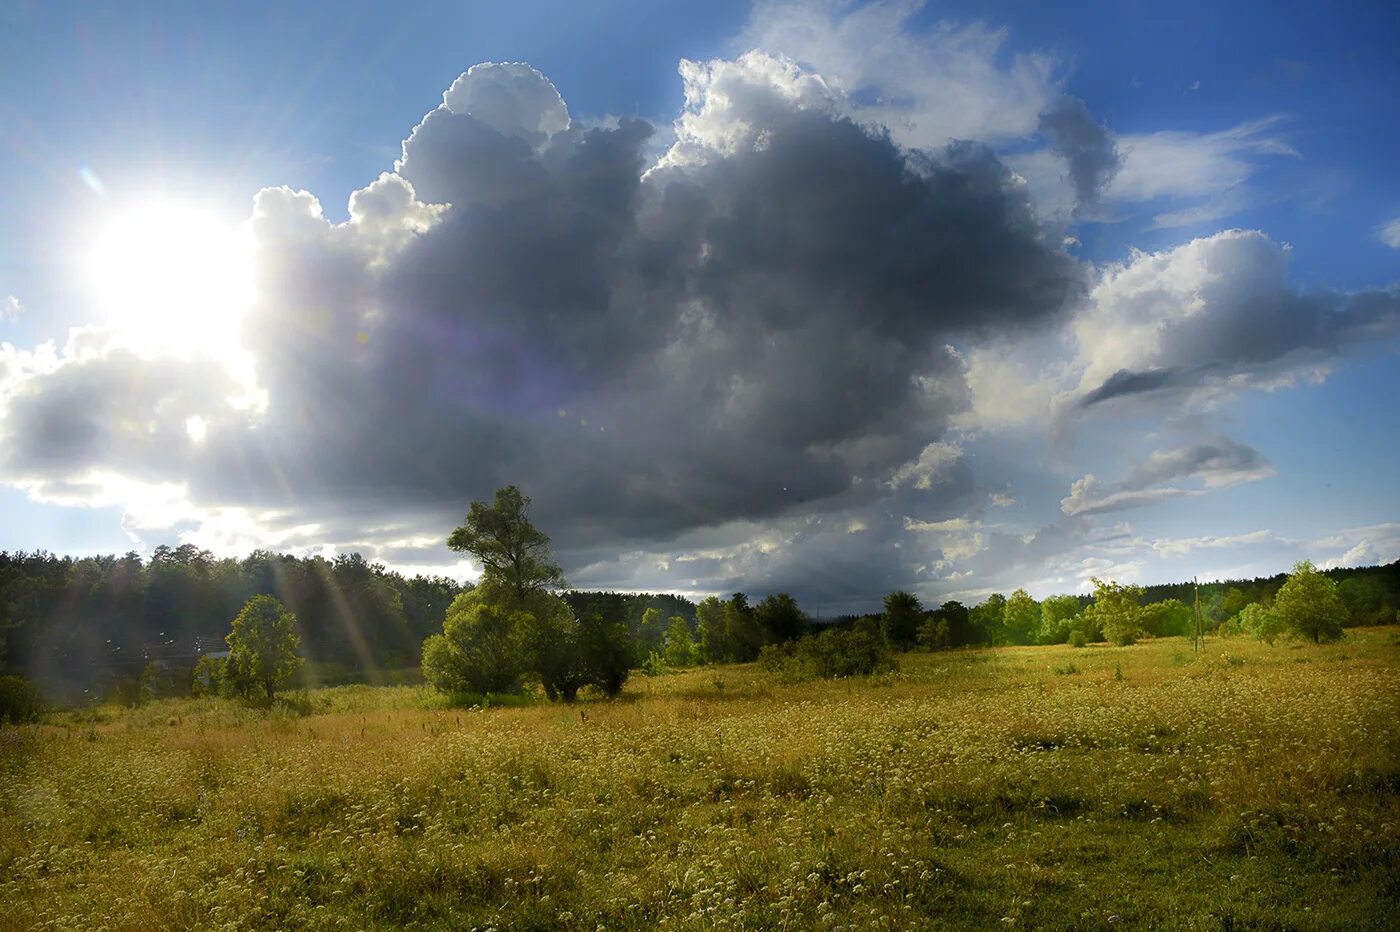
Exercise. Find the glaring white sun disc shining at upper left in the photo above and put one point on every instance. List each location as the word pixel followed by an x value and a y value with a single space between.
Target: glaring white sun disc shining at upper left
pixel 171 275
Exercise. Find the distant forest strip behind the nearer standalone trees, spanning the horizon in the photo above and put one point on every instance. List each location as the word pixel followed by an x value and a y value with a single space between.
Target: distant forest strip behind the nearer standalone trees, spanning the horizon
pixel 103 629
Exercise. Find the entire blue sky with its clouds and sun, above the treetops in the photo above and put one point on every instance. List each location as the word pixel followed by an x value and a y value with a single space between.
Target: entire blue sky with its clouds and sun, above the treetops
pixel 828 299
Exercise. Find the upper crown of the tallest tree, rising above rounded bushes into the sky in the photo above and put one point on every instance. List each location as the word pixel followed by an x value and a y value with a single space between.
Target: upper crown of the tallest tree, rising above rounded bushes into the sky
pixel 512 551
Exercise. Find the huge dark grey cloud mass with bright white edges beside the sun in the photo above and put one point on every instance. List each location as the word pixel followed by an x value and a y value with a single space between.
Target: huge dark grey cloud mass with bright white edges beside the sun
pixel 761 332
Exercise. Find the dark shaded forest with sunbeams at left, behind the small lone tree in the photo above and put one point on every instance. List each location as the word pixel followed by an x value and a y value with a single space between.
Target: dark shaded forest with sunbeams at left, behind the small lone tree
pixel 82 626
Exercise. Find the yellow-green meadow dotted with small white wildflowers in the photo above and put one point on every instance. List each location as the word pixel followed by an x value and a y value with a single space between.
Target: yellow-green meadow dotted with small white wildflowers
pixel 1245 787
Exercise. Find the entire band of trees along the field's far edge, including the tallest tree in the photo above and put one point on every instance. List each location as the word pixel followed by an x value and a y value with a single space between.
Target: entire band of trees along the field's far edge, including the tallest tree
pixel 76 625
